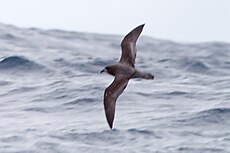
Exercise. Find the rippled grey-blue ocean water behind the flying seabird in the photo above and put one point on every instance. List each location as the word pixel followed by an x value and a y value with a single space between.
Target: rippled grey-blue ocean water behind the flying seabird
pixel 51 97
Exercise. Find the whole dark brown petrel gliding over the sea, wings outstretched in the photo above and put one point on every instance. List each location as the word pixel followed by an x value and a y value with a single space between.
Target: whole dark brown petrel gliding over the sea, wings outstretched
pixel 123 71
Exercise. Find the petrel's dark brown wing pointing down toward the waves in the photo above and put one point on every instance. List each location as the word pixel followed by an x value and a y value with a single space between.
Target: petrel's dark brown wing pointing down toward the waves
pixel 110 96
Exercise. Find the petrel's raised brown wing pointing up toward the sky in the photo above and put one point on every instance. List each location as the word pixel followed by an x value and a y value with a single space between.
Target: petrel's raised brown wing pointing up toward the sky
pixel 128 46
